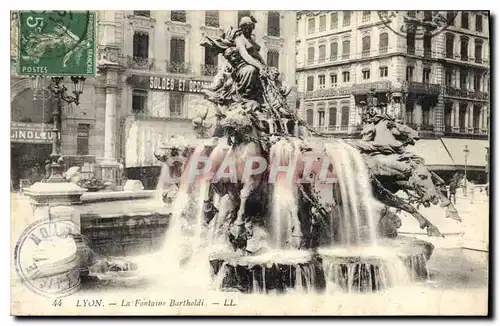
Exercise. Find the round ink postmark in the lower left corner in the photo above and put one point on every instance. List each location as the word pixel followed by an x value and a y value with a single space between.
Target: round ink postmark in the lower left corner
pixel 46 258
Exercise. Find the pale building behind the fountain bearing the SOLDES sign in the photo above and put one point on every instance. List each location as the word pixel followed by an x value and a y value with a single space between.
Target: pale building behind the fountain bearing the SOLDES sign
pixel 151 68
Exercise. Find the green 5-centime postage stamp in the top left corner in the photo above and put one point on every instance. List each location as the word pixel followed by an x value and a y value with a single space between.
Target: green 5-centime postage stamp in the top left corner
pixel 57 43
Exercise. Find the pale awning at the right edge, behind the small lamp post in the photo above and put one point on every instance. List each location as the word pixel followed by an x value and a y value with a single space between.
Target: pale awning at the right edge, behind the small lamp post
pixel 476 157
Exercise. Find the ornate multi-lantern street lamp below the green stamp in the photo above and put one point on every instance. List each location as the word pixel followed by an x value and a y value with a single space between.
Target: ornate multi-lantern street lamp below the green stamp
pixel 58 91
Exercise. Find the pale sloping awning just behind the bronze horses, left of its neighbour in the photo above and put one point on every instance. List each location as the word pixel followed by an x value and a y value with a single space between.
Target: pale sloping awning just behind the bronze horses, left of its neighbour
pixel 434 152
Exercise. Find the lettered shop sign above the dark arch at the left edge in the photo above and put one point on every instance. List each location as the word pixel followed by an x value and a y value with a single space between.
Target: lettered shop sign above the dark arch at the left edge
pixel 21 132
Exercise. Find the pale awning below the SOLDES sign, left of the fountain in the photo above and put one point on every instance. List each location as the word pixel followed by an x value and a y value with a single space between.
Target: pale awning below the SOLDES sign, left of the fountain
pixel 143 137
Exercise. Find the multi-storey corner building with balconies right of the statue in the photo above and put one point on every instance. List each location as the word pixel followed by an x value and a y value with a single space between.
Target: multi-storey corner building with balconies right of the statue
pixel 437 74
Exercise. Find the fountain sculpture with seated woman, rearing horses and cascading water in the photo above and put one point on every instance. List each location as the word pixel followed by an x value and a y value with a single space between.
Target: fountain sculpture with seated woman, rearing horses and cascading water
pixel 285 226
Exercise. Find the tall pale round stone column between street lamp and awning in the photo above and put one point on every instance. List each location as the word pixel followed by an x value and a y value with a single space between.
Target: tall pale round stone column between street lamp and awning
pixel 110 165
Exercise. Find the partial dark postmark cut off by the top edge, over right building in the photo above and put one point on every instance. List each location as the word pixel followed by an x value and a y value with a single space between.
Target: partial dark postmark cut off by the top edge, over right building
pixel 418 24
